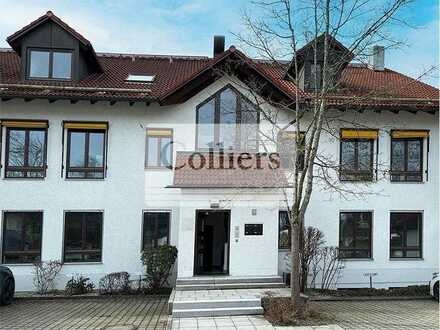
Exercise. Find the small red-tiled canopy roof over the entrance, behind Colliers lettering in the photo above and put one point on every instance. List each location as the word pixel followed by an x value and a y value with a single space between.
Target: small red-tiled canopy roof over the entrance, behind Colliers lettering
pixel 196 170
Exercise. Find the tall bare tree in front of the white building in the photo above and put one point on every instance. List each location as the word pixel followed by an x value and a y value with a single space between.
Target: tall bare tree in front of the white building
pixel 276 31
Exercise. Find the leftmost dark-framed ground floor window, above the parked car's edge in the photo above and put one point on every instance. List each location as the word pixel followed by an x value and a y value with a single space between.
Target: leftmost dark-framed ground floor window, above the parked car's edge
pixel 22 237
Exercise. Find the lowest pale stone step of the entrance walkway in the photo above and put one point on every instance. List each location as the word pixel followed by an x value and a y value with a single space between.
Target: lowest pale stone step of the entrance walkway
pixel 182 313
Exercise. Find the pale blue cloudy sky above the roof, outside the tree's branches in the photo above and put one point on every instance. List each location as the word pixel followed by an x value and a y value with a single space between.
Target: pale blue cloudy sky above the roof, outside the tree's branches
pixel 187 26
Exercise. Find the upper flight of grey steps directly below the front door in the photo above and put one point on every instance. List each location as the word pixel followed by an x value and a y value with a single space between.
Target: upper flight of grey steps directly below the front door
pixel 228 282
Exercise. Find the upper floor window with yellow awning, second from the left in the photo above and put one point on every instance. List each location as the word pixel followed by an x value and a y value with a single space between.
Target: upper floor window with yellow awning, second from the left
pixel 86 150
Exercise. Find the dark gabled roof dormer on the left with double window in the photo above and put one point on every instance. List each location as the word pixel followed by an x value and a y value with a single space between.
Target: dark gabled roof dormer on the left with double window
pixel 51 50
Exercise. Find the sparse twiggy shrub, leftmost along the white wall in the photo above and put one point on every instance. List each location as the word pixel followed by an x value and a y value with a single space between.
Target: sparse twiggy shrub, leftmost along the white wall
pixel 45 273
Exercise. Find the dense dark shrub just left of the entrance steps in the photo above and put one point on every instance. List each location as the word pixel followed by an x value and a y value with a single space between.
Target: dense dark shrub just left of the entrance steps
pixel 158 263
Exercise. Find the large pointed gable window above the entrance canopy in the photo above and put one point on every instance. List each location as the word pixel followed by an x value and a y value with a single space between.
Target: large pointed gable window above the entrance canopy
pixel 227 121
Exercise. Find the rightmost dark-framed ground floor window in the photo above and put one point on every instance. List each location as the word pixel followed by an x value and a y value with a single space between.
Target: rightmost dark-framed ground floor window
pixel 406 235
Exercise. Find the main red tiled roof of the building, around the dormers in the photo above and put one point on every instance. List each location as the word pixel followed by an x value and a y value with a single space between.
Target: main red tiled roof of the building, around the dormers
pixel 360 85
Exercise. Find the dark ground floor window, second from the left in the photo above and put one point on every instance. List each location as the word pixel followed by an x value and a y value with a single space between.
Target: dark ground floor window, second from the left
pixel 83 237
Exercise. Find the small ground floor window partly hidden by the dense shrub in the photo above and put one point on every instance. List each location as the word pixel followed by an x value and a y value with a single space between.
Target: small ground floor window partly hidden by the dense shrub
pixel 156 229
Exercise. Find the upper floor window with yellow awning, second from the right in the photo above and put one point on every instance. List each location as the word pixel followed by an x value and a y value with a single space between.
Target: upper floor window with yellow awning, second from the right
pixel 357 154
